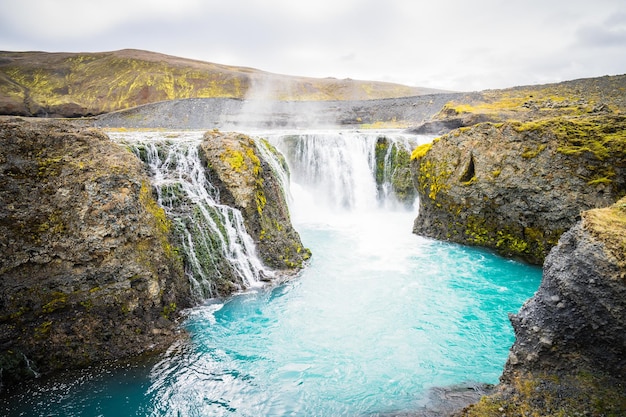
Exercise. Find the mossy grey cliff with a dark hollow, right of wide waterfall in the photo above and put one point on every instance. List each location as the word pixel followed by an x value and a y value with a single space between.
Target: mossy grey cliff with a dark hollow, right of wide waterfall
pixel 516 187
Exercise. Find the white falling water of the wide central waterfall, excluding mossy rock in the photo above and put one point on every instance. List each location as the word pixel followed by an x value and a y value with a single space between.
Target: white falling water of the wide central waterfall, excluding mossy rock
pixel 333 172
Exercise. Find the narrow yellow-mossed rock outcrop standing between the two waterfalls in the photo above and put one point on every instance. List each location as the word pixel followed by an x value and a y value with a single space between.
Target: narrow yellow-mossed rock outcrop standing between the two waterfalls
pixel 248 183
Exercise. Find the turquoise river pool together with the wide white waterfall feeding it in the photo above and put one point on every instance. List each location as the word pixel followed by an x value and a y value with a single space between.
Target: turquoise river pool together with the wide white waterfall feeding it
pixel 378 318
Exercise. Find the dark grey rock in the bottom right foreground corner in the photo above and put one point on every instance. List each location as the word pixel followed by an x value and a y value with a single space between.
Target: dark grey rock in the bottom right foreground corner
pixel 569 356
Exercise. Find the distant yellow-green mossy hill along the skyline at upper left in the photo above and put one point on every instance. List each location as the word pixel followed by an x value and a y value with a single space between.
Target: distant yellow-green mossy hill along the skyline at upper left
pixel 81 84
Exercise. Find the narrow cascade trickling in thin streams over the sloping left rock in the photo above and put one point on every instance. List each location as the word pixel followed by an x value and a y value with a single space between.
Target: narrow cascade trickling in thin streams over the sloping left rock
pixel 217 248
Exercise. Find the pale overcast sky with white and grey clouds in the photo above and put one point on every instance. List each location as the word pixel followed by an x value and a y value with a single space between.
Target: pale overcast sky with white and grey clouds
pixel 450 44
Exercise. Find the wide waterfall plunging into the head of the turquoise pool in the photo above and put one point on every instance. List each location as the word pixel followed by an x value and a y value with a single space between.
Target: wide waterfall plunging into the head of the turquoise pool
pixel 350 170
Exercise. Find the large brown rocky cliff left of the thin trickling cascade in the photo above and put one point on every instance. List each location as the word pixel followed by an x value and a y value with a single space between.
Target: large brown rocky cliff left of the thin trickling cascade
pixel 87 271
